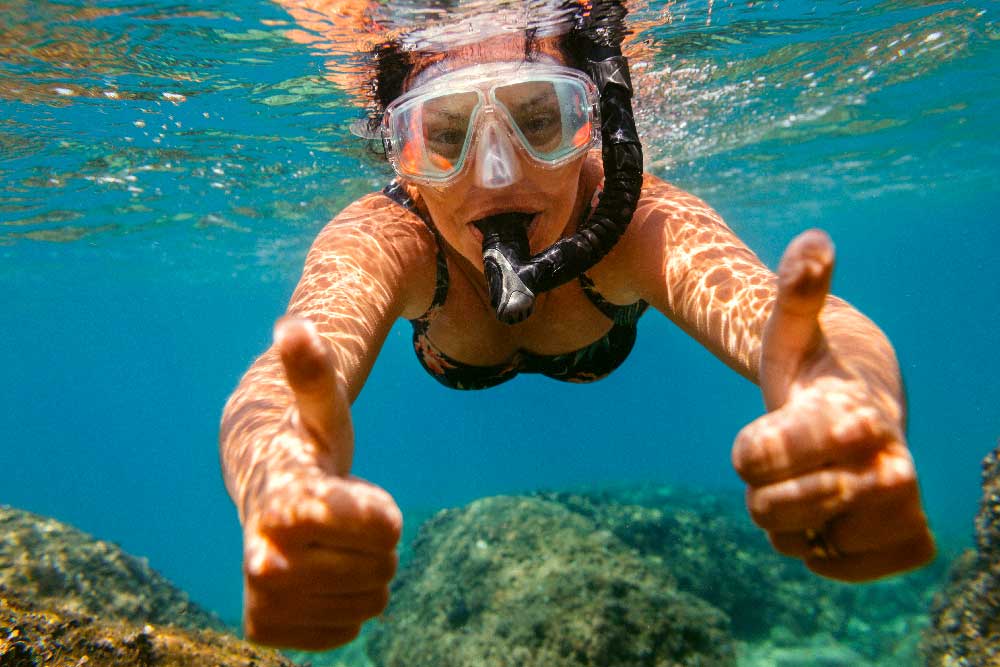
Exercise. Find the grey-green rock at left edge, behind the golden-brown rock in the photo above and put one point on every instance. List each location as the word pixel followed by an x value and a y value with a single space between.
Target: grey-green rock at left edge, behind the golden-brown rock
pixel 53 564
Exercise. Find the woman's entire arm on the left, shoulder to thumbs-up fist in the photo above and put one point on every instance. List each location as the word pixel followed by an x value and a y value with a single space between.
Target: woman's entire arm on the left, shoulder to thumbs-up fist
pixel 287 441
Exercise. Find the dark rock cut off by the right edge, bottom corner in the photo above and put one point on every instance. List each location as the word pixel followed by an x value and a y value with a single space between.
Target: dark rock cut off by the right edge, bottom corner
pixel 965 616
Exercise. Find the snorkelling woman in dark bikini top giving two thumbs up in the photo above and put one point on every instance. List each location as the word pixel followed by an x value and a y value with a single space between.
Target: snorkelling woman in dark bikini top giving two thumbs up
pixel 491 144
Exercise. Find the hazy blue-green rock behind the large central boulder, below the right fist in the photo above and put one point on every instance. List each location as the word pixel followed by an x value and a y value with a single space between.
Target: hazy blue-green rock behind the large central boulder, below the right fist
pixel 711 548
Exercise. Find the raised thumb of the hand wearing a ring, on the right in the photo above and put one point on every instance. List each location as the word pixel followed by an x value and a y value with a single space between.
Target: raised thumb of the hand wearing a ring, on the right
pixel 793 331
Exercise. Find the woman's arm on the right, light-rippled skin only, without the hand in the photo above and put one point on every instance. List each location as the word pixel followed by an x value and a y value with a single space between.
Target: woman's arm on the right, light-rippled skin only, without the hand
pixel 695 270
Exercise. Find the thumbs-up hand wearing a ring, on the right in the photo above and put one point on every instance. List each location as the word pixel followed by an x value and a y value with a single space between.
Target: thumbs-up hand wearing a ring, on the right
pixel 828 472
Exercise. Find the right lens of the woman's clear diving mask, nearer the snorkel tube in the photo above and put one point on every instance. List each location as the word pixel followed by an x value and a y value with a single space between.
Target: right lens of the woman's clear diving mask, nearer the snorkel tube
pixel 552 117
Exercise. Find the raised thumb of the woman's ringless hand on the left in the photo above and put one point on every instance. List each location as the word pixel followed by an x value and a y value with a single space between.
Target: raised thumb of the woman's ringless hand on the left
pixel 311 370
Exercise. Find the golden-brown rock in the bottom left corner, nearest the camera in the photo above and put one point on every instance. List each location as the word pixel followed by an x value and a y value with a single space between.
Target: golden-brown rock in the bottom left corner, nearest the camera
pixel 36 636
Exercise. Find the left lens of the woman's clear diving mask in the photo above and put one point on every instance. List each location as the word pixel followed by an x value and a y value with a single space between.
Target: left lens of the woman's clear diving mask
pixel 432 135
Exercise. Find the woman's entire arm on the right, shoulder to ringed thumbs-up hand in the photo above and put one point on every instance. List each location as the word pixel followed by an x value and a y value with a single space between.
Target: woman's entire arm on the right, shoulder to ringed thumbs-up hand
pixel 828 472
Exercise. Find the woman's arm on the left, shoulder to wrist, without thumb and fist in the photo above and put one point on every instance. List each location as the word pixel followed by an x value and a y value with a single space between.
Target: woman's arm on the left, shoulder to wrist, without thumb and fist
pixel 351 290
